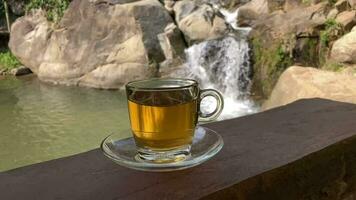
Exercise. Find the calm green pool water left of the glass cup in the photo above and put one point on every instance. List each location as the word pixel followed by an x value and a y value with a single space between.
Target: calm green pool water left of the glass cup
pixel 40 121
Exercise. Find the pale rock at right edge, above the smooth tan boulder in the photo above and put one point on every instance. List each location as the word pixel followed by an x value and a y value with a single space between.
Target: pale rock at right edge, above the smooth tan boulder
pixel 344 49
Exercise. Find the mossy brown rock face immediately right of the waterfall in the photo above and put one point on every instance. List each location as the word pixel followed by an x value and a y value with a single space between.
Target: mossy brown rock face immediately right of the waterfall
pixel 281 39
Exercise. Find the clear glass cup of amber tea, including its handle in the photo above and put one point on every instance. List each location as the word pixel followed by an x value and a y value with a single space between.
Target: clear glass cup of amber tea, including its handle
pixel 163 116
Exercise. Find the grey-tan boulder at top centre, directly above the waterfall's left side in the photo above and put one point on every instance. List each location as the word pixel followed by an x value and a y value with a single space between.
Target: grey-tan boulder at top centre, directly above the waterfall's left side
pixel 198 22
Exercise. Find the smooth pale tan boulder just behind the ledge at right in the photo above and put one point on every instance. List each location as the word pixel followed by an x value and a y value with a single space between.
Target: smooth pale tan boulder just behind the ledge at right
pixel 305 82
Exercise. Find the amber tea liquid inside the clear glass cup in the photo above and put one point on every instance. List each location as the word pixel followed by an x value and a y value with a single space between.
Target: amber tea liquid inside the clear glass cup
pixel 164 122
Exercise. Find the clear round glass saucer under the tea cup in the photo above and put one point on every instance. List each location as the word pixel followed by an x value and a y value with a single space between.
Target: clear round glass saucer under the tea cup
pixel 206 144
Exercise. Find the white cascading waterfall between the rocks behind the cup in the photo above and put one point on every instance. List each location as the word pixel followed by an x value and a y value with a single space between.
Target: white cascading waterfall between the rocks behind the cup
pixel 223 64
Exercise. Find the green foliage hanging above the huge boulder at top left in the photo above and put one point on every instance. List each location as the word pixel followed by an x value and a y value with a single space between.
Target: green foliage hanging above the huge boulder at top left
pixel 54 8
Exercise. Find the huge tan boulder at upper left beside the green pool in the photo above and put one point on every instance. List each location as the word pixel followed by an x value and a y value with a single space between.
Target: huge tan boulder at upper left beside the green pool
pixel 98 43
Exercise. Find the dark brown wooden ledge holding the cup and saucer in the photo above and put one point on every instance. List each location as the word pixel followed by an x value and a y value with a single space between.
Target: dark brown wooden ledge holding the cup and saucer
pixel 295 150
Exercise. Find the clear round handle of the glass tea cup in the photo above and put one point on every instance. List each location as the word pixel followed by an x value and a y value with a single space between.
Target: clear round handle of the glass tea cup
pixel 219 107
